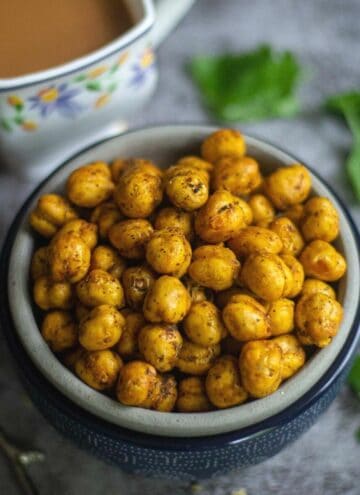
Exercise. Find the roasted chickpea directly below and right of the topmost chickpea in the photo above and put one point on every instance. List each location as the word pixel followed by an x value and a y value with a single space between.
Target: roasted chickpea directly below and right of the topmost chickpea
pixel 238 175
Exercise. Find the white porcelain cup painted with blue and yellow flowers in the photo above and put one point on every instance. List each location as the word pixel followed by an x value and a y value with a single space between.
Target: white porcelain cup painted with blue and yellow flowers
pixel 71 105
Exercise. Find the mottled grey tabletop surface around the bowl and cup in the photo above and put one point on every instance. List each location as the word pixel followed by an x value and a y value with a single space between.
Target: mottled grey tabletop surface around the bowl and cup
pixel 325 35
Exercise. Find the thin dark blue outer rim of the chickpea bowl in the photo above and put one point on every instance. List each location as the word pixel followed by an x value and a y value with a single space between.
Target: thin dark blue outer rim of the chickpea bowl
pixel 153 441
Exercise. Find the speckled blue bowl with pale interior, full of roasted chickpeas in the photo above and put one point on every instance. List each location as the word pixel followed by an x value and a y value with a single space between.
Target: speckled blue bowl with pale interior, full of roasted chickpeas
pixel 182 300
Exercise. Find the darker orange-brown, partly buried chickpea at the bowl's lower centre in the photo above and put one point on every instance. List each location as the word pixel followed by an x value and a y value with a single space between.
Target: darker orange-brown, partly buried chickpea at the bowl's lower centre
pixel 195 359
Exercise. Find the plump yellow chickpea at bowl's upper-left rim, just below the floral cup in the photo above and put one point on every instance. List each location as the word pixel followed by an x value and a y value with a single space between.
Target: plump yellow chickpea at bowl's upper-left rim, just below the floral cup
pixel 90 185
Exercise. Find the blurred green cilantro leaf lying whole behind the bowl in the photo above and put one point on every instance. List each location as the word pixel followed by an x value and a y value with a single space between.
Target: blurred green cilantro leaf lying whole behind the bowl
pixel 248 86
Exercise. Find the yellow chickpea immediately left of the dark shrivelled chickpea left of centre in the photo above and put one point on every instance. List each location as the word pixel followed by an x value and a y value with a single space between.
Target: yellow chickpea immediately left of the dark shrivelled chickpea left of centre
pixel 100 287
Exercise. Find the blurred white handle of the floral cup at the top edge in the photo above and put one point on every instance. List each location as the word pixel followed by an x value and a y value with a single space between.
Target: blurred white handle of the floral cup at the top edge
pixel 168 15
